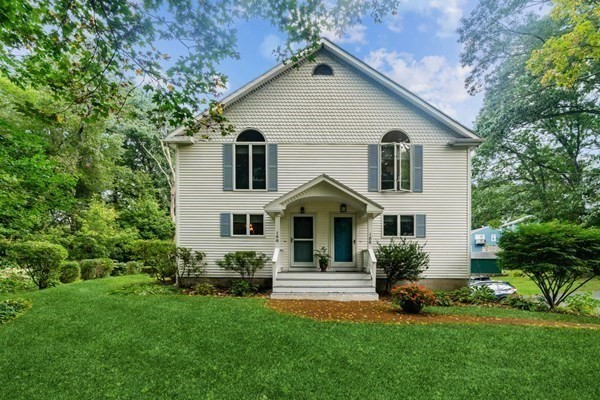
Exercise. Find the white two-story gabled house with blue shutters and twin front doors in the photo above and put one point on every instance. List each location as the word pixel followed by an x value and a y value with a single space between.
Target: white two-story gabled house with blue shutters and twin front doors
pixel 330 154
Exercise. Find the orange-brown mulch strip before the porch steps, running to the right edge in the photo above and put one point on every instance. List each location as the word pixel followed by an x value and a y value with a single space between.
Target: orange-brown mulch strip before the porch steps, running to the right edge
pixel 386 312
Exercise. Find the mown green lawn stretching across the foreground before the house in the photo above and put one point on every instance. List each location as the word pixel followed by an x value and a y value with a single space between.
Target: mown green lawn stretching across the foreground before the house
pixel 80 342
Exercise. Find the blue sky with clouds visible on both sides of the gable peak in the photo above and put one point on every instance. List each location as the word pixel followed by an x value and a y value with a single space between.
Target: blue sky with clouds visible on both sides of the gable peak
pixel 417 48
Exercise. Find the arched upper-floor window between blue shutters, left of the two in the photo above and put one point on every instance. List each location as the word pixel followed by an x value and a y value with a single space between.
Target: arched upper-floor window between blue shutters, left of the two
pixel 250 161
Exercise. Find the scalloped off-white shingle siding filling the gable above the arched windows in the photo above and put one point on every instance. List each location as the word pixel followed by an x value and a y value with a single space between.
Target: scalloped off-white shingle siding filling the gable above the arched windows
pixel 301 108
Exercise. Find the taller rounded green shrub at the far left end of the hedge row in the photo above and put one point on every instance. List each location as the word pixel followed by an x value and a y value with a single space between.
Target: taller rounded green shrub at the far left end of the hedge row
pixel 41 260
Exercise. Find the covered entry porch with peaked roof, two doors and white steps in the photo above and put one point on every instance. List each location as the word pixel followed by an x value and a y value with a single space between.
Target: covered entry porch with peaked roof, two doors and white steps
pixel 324 214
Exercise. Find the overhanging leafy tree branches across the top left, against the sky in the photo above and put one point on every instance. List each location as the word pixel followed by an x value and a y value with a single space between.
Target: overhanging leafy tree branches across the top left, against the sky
pixel 92 67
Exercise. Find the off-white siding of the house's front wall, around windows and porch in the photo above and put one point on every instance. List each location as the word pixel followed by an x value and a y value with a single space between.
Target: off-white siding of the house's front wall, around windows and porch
pixel 324 125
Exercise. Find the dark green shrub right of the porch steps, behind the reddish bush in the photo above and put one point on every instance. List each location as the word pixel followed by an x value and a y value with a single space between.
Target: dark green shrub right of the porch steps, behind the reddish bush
pixel 403 261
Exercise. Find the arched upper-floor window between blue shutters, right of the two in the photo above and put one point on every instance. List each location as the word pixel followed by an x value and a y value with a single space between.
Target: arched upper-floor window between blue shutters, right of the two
pixel 395 162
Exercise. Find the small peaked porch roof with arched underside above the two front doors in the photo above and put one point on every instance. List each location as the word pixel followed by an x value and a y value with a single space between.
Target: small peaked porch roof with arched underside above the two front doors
pixel 324 187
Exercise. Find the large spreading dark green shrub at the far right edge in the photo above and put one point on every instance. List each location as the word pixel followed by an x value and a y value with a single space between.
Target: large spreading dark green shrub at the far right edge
pixel 554 255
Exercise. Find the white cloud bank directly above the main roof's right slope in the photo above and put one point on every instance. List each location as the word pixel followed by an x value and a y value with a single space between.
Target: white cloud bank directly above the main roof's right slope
pixel 432 78
